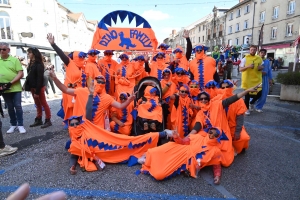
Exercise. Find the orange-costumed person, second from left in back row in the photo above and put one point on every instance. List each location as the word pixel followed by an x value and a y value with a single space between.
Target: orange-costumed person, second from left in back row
pixel 91 67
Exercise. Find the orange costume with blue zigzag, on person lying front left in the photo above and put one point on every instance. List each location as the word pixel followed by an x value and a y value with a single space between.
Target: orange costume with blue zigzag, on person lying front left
pixel 89 140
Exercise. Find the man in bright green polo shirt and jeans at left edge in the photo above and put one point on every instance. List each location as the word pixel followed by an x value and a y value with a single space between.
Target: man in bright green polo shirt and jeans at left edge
pixel 11 72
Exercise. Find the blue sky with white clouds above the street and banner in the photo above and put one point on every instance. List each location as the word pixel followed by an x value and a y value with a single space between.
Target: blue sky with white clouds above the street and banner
pixel 163 16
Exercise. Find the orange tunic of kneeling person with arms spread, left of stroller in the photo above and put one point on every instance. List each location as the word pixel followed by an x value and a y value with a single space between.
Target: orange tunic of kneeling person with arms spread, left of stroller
pixel 101 103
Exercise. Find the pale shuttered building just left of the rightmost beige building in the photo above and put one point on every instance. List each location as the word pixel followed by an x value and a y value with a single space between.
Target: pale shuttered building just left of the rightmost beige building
pixel 239 24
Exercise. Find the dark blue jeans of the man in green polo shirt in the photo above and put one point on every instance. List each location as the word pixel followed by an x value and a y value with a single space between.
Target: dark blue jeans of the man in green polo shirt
pixel 14 106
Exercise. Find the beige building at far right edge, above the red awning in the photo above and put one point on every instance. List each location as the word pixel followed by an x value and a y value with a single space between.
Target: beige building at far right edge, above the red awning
pixel 281 19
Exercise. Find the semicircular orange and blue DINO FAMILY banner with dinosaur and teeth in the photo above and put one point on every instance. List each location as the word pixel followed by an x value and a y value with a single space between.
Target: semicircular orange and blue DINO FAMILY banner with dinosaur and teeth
pixel 124 38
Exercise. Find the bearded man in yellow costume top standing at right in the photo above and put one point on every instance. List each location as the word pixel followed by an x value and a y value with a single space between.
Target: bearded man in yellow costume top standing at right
pixel 251 68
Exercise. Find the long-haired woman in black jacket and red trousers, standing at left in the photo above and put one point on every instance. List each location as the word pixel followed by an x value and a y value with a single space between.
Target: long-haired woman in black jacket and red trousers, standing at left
pixel 35 82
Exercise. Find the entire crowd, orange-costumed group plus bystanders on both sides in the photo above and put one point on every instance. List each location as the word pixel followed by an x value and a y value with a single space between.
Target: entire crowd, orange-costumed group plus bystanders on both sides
pixel 116 114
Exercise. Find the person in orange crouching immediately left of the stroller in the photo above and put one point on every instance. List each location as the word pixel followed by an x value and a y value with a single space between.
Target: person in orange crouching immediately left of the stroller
pixel 122 119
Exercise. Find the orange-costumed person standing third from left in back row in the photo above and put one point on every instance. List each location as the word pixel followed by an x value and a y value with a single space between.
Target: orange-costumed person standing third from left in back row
pixel 108 68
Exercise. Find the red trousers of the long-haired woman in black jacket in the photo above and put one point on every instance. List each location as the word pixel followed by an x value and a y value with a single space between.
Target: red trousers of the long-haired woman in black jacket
pixel 41 102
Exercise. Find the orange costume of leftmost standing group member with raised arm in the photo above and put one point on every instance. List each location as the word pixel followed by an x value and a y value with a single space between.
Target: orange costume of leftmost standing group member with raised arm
pixel 75 78
